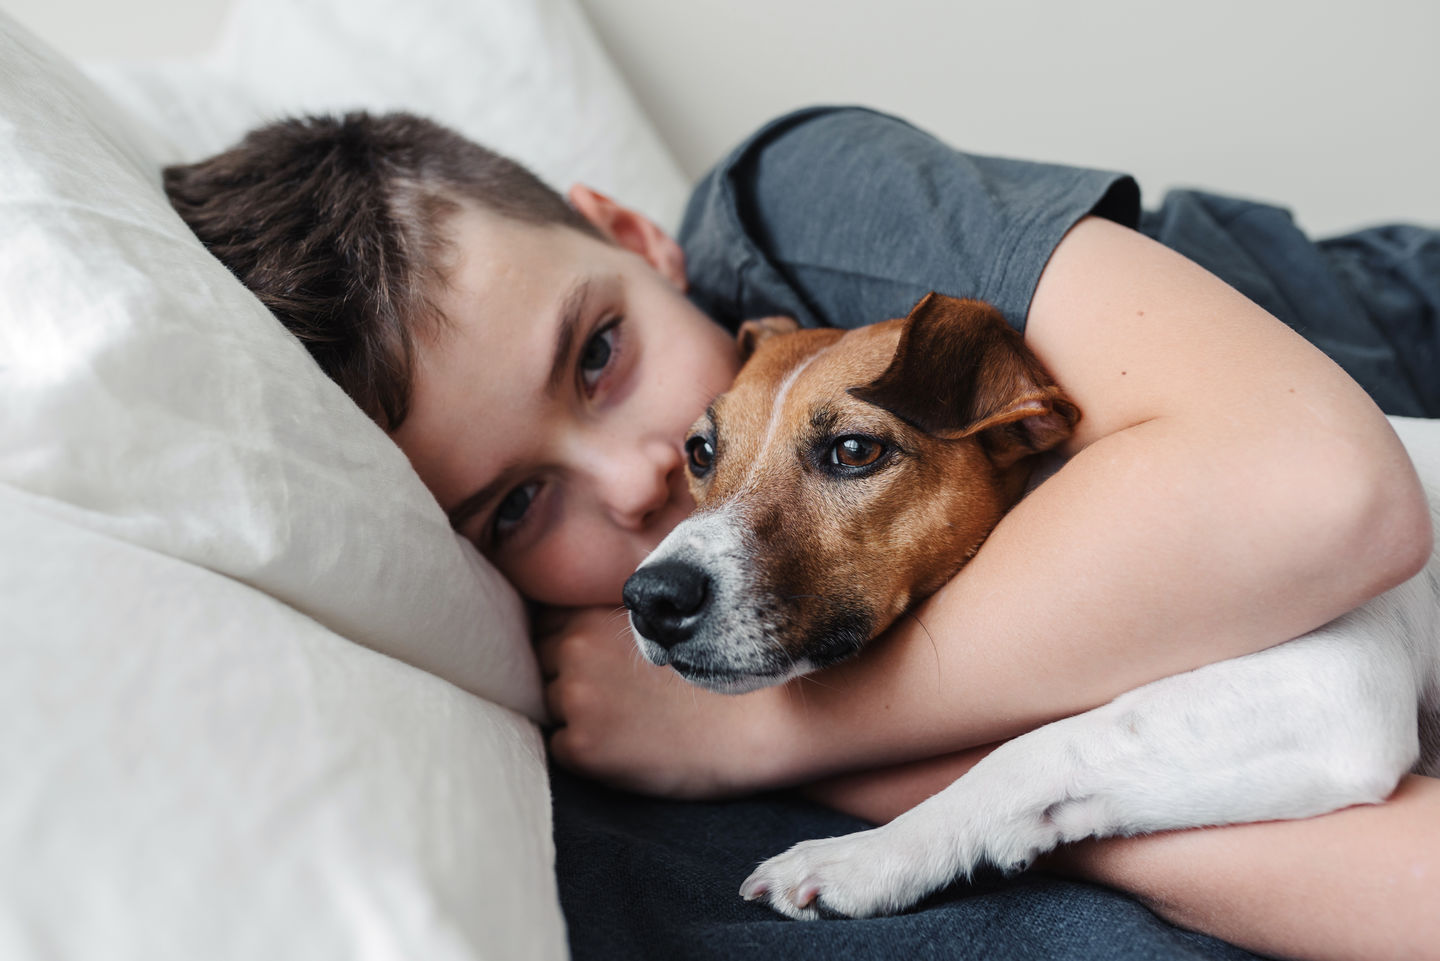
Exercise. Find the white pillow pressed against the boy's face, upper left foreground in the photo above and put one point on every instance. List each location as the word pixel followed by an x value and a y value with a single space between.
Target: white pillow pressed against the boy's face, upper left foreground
pixel 152 398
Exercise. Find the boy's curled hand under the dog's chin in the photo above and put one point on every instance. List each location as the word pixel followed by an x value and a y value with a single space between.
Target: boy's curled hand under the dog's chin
pixel 624 721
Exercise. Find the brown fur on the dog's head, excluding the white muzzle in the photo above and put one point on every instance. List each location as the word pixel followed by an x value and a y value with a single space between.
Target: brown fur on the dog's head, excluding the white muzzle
pixel 960 404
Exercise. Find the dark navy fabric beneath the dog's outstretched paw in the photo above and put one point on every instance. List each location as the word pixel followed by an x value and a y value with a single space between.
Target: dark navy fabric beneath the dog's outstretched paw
pixel 659 880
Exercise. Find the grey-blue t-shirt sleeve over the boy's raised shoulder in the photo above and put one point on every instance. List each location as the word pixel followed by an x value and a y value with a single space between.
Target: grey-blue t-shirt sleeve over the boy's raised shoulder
pixel 846 217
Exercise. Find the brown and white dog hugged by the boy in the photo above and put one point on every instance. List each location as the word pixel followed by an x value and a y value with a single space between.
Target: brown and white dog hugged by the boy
pixel 849 475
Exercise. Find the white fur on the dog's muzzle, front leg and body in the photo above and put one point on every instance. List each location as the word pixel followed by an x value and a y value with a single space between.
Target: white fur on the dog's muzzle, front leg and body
pixel 1326 721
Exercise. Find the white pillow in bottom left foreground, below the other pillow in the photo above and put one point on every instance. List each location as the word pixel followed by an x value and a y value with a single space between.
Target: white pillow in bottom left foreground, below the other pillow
pixel 197 772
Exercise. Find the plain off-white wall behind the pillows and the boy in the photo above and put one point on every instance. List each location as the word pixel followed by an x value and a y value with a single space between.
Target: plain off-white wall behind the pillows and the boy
pixel 1330 107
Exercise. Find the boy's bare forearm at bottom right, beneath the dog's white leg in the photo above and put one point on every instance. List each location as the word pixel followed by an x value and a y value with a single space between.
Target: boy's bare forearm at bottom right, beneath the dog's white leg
pixel 1362 884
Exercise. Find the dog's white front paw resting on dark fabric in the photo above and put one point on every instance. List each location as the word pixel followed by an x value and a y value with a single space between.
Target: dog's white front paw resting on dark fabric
pixel 863 875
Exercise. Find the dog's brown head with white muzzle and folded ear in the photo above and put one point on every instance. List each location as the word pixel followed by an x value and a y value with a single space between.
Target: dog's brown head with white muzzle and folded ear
pixel 843 479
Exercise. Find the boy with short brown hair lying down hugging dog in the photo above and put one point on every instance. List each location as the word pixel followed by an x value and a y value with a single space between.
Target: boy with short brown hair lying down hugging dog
pixel 1229 486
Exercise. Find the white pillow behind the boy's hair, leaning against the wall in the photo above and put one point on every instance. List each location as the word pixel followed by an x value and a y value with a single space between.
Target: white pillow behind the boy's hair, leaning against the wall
pixel 523 77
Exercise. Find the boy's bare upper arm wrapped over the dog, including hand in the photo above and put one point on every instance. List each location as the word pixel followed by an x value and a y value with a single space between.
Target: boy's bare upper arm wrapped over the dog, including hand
pixel 1229 489
